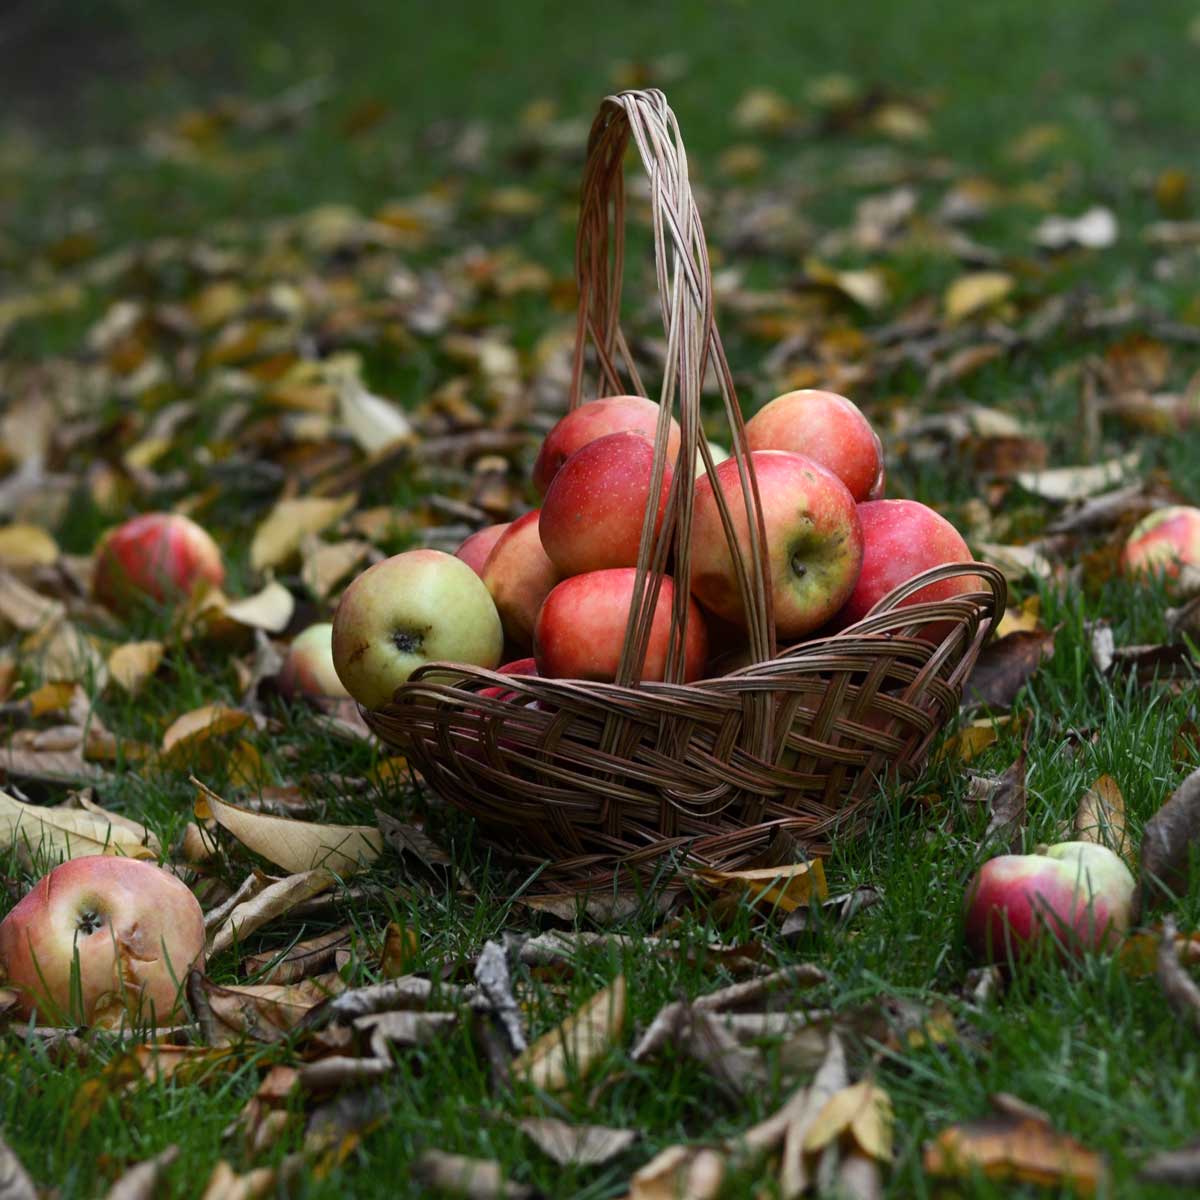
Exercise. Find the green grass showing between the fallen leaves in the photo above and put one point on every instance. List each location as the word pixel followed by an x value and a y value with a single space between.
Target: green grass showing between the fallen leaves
pixel 1094 1046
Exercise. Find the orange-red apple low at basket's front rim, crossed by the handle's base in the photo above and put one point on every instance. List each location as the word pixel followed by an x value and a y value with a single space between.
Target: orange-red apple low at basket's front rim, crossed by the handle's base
pixel 581 629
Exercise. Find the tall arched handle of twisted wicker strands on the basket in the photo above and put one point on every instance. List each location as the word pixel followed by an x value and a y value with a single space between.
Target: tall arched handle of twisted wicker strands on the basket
pixel 686 298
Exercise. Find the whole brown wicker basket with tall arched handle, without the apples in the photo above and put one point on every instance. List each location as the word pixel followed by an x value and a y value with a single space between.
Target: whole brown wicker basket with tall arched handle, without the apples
pixel 605 781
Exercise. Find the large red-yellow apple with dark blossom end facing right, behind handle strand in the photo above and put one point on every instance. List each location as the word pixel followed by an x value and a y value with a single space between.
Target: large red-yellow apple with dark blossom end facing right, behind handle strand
pixel 814 541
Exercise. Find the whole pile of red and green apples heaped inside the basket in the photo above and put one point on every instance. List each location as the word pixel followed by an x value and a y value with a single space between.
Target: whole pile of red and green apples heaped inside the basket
pixel 550 593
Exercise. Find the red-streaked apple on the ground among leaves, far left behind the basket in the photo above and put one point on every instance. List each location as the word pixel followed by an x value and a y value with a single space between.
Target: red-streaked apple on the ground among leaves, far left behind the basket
pixel 158 556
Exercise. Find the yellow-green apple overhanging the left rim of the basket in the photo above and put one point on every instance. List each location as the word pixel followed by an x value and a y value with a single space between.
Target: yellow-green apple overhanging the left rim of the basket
pixel 422 607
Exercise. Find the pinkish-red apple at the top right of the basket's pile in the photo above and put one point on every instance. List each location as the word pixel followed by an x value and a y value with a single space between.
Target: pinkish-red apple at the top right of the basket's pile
pixel 830 430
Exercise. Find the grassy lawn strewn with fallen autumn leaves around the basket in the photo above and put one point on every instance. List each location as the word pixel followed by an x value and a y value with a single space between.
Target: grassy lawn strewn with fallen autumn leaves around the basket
pixel 203 209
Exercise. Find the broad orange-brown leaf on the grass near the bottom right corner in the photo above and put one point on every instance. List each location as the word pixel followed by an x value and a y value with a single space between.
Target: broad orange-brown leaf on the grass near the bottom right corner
pixel 1016 1149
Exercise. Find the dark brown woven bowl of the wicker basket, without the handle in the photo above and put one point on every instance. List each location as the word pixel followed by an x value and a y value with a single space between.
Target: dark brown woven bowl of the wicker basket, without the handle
pixel 598 782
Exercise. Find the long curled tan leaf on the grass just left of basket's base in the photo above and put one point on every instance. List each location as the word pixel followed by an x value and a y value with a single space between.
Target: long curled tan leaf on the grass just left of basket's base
pixel 293 845
